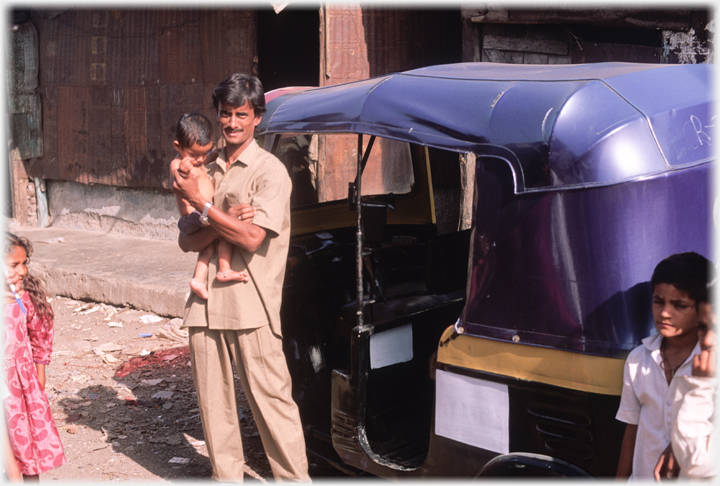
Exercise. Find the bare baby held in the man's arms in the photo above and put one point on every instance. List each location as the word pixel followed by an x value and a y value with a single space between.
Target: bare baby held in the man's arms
pixel 193 142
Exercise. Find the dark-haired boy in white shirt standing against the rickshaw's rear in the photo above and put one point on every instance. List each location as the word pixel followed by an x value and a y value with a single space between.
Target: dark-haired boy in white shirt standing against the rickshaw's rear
pixel 679 284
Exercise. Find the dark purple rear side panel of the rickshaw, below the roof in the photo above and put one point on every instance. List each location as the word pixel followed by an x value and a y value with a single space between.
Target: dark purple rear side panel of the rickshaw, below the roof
pixel 571 269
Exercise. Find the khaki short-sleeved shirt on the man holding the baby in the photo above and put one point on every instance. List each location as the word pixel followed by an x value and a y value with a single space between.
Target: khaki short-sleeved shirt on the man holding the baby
pixel 256 177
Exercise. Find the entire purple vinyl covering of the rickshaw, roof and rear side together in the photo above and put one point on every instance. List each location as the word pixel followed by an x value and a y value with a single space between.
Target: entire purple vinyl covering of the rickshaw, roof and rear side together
pixel 610 173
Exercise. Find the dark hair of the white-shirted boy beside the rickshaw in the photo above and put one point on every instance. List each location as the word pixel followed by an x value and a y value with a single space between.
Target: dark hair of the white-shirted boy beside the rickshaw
pixel 688 272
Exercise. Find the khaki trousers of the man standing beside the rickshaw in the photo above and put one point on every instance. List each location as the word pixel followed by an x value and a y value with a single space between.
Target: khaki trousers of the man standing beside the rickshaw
pixel 260 362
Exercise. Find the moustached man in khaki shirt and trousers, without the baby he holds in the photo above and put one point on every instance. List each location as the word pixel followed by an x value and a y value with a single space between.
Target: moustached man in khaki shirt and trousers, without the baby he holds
pixel 240 322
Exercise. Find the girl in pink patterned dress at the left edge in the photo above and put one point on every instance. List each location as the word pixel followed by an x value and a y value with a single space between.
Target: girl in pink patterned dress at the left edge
pixel 34 440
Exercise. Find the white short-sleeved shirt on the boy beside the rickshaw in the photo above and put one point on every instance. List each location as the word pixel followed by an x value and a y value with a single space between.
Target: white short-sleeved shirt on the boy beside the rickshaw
pixel 646 401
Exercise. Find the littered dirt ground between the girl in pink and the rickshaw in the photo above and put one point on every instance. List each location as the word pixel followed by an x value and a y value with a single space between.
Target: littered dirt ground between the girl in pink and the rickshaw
pixel 120 386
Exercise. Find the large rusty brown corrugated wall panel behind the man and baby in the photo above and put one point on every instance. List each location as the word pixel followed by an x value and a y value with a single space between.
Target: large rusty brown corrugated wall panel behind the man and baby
pixel 113 82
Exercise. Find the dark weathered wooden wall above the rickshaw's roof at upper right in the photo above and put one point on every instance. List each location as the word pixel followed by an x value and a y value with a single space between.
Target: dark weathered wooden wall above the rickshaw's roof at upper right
pixel 576 35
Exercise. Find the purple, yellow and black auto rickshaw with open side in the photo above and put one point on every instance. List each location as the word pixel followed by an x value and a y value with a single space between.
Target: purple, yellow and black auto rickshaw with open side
pixel 423 344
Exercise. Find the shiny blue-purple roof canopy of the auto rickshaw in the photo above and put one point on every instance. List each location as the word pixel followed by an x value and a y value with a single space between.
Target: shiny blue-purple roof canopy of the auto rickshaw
pixel 558 126
